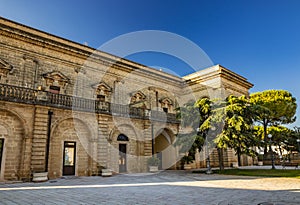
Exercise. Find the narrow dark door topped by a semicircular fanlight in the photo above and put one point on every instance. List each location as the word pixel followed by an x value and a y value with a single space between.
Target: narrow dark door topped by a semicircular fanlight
pixel 122 139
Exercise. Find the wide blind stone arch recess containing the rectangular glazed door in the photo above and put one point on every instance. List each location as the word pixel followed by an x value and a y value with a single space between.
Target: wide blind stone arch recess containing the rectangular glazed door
pixel 69 146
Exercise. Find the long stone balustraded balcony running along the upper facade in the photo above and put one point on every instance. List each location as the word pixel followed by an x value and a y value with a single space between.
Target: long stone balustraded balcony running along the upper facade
pixel 36 97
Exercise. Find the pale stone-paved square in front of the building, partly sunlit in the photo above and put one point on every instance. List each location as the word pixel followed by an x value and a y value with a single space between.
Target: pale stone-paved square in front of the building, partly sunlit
pixel 168 187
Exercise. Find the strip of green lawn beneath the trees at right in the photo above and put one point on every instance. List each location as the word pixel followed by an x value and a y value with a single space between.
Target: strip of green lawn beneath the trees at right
pixel 261 172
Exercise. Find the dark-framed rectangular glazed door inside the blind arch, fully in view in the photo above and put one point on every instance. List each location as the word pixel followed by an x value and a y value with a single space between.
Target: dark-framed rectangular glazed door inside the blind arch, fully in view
pixel 69 158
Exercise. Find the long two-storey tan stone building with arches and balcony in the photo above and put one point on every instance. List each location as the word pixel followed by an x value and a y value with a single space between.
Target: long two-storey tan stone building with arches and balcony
pixel 69 109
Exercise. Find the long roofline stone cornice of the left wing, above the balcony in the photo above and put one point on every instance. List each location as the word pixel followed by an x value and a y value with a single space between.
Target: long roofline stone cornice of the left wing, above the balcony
pixel 43 39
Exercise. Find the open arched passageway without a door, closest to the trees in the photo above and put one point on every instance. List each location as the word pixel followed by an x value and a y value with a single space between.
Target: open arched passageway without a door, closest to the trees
pixel 164 149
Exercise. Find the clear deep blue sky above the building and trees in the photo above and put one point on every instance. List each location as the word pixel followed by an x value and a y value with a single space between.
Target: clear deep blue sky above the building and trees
pixel 258 39
